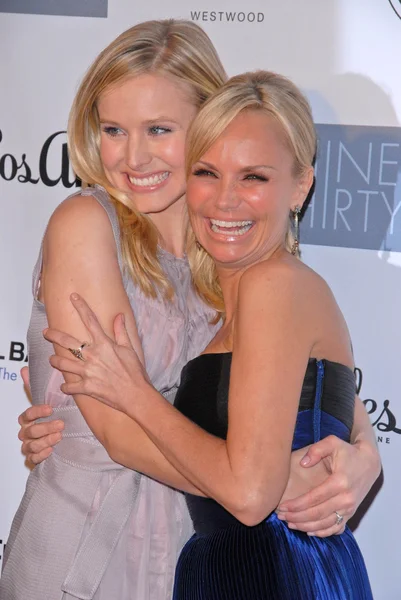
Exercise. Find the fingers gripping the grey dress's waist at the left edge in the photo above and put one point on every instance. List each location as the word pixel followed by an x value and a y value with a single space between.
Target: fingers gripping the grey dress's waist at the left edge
pixel 37 438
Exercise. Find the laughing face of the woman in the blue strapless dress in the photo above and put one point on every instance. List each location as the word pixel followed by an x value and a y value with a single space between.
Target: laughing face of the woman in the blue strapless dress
pixel 242 189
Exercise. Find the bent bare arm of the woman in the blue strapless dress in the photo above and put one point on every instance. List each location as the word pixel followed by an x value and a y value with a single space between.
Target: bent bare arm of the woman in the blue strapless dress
pixel 248 472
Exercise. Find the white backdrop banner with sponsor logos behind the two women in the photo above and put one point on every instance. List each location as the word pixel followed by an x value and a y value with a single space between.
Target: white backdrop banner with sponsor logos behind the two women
pixel 343 54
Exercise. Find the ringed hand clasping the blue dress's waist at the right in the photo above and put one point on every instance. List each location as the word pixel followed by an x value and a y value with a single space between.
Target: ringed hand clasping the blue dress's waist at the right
pixel 351 468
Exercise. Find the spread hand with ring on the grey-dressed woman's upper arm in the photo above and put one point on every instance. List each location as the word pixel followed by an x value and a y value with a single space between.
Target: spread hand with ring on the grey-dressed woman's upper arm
pixel 110 371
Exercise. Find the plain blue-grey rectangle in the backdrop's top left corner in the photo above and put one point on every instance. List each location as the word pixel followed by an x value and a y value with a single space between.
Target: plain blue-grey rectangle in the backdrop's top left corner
pixel 66 8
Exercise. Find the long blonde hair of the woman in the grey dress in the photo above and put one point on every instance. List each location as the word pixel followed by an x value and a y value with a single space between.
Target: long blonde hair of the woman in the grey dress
pixel 179 49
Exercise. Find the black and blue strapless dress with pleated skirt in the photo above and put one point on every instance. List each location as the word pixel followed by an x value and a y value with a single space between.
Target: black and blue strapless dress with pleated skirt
pixel 226 560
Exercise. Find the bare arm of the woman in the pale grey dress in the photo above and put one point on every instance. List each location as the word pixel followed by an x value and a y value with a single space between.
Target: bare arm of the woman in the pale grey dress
pixel 80 255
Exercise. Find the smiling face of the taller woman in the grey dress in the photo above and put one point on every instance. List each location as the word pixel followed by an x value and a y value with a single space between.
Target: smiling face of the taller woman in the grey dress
pixel 144 121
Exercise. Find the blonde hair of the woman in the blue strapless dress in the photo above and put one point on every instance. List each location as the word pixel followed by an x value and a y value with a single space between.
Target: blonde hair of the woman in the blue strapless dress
pixel 277 97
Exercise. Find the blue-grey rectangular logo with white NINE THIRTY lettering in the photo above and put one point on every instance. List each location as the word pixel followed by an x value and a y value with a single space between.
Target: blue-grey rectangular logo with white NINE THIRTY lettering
pixel 357 198
